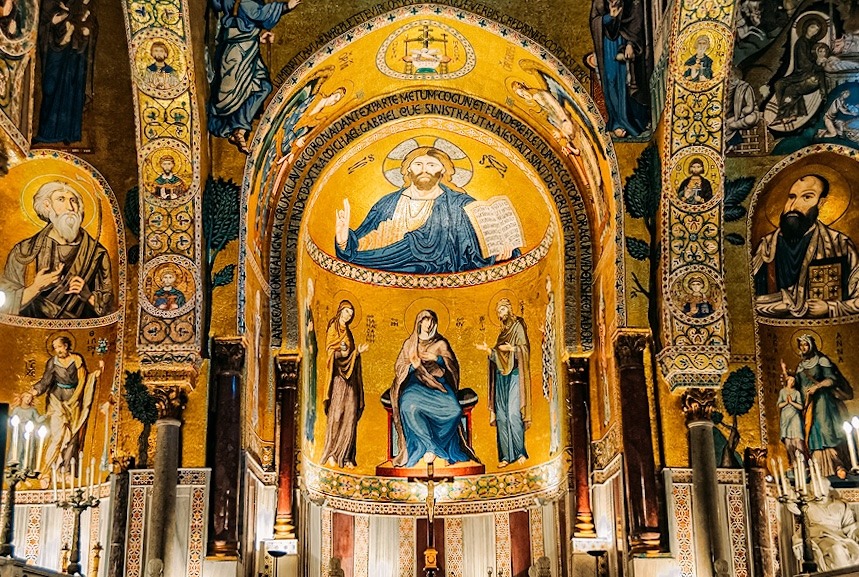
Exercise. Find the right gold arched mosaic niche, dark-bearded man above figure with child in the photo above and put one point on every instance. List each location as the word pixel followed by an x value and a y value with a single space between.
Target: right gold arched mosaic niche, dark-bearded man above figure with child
pixel 809 295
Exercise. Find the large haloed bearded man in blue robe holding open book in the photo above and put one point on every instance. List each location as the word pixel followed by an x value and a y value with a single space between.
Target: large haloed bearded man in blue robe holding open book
pixel 430 224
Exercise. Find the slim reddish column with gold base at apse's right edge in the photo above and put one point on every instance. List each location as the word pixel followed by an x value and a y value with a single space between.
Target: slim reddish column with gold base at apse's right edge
pixel 578 412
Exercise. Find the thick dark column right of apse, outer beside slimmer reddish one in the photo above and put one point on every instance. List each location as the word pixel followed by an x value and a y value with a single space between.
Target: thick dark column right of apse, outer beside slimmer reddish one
pixel 640 480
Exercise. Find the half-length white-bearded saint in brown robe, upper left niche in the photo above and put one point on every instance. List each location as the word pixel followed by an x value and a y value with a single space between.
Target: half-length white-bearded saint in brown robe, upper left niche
pixel 62 272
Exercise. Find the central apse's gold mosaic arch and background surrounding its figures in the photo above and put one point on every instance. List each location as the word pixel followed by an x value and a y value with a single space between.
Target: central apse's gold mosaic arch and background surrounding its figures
pixel 525 130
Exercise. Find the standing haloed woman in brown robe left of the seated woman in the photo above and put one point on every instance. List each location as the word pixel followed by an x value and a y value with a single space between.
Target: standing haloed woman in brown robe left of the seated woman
pixel 345 401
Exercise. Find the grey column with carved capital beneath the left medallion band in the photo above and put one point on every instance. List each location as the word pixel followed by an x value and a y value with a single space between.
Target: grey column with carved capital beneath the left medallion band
pixel 170 400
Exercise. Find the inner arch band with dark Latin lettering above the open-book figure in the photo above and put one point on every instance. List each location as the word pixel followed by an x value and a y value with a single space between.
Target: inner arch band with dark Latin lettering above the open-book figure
pixel 317 154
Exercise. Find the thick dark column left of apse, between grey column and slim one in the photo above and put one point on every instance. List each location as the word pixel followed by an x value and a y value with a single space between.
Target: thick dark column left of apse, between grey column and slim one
pixel 223 446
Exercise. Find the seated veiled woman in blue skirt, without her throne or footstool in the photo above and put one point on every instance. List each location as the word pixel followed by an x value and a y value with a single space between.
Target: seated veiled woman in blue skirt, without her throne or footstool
pixel 427 414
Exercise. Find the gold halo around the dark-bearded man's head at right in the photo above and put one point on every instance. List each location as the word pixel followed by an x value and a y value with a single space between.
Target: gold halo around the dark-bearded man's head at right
pixel 837 201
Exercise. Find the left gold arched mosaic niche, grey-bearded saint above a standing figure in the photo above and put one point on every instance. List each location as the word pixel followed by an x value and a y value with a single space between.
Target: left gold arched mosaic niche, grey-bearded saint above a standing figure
pixel 76 319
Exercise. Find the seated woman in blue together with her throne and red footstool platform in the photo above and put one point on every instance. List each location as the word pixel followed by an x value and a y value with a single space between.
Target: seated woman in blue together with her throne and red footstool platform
pixel 429 417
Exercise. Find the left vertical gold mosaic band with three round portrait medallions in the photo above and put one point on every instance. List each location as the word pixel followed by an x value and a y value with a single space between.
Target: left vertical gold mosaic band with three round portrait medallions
pixel 169 139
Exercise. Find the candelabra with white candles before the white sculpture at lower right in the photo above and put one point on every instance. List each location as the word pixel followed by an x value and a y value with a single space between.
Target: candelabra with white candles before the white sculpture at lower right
pixel 797 497
